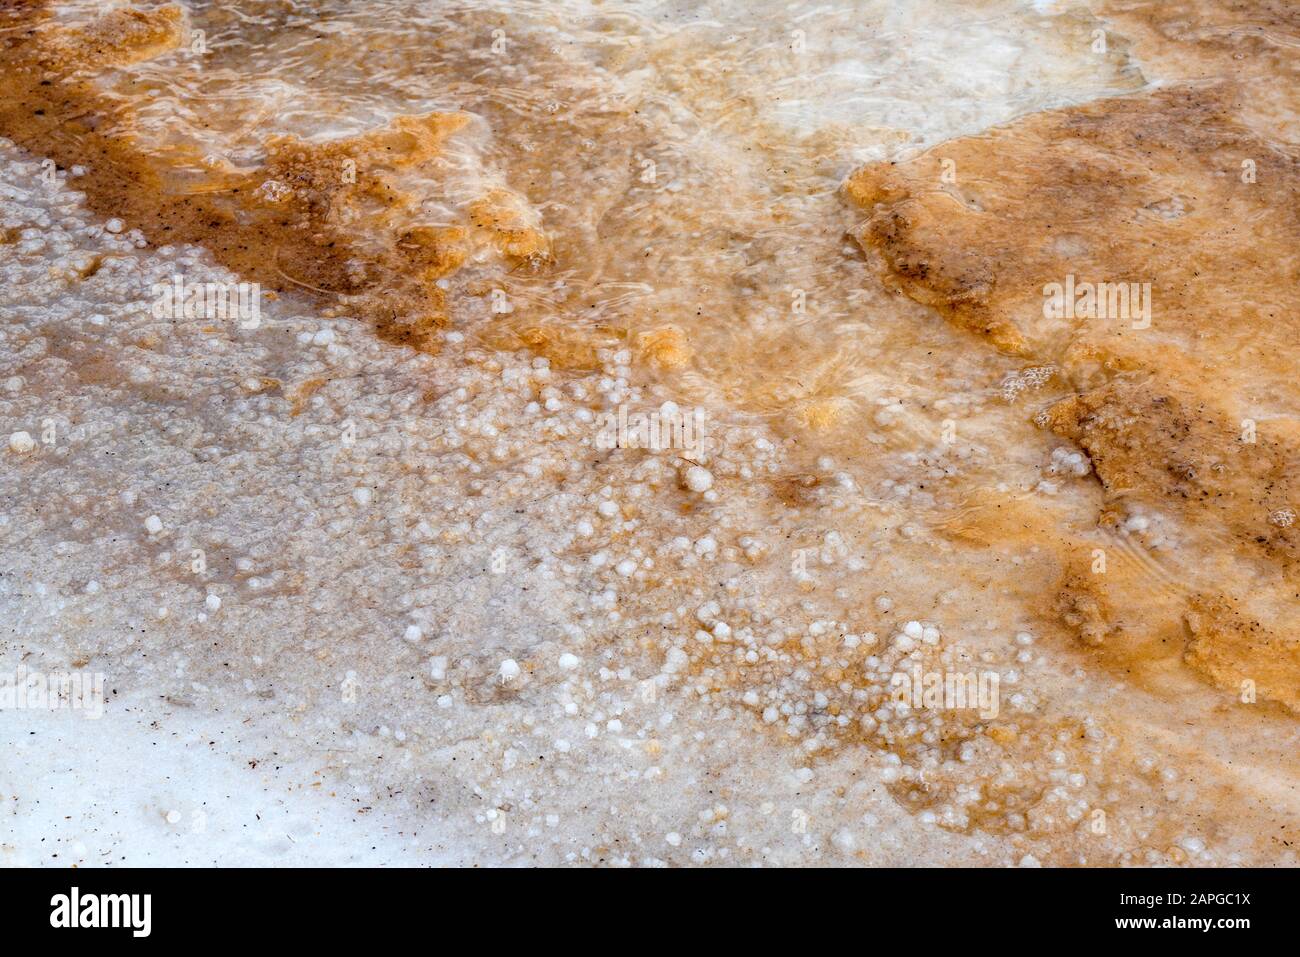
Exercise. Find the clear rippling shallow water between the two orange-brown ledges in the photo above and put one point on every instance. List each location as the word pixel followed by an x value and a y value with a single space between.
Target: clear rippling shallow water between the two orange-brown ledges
pixel 684 161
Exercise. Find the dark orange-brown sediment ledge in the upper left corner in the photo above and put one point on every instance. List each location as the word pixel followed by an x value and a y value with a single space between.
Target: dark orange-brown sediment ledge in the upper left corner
pixel 297 223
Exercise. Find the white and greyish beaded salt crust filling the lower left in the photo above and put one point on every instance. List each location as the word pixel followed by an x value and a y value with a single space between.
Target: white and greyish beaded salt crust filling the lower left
pixel 508 728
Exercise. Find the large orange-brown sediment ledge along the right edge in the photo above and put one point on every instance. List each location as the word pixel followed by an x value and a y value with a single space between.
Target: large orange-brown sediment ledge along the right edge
pixel 1191 410
